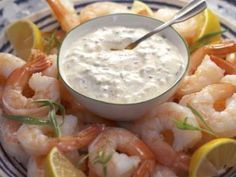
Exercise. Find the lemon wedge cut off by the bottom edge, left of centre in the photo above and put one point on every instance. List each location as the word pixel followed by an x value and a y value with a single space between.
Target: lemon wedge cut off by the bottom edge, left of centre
pixel 57 165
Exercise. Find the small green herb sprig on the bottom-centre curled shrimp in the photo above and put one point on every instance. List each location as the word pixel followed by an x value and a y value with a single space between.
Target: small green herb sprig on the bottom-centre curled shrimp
pixel 103 159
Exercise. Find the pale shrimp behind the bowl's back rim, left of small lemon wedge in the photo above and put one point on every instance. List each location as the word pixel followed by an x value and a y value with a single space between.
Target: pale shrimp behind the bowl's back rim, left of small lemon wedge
pixel 101 8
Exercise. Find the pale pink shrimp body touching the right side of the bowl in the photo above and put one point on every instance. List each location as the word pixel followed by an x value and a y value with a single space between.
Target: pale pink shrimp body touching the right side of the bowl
pixel 207 73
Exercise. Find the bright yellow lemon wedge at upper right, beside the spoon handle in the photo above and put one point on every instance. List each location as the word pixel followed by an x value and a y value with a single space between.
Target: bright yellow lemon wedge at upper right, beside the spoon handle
pixel 211 24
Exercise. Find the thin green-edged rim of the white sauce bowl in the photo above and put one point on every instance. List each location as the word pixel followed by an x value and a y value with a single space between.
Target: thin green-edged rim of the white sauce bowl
pixel 122 104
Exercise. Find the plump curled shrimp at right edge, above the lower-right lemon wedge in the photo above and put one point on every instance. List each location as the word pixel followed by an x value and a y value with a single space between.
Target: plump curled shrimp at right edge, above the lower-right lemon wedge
pixel 217 105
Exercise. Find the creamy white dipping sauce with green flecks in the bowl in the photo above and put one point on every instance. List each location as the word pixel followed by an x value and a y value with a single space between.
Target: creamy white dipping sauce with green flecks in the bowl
pixel 121 76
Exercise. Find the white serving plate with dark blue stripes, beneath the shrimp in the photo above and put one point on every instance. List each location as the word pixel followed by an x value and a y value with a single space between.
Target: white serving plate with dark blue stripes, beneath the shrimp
pixel 9 167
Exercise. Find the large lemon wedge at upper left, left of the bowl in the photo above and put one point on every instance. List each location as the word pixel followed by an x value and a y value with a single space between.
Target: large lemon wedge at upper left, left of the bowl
pixel 24 35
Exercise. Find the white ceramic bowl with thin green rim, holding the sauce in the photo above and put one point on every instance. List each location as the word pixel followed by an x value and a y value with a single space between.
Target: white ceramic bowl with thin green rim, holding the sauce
pixel 123 112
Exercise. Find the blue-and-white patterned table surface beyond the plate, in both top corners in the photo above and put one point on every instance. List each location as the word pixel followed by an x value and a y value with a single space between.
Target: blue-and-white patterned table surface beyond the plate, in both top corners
pixel 22 8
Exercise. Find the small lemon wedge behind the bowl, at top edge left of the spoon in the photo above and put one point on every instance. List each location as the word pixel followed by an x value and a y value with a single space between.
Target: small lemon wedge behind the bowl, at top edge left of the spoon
pixel 141 8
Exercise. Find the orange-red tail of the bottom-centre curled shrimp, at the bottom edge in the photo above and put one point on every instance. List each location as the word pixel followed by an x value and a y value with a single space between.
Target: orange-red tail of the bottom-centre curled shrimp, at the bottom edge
pixel 145 169
